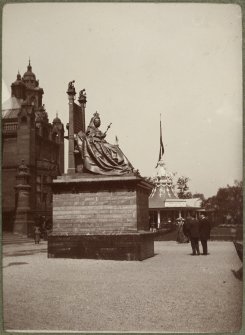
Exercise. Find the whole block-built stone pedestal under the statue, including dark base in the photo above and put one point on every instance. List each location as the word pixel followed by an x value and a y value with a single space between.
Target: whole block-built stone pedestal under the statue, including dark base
pixel 101 217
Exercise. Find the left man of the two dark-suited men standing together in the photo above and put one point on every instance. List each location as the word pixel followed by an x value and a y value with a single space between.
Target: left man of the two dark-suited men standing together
pixel 191 230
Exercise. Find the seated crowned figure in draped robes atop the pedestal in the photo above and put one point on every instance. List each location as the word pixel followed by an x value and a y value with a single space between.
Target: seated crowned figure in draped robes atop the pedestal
pixel 97 155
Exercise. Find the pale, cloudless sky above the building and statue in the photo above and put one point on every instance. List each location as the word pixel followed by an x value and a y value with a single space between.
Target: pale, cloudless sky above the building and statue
pixel 138 61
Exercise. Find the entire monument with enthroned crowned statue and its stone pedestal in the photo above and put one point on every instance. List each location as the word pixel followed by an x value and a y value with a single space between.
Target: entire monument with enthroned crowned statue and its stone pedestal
pixel 100 207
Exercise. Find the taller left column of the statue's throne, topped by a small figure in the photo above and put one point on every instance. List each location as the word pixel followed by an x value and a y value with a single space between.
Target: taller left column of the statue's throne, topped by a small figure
pixel 71 158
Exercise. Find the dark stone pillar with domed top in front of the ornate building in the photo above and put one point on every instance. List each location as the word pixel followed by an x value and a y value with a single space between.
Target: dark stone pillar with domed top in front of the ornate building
pixel 23 223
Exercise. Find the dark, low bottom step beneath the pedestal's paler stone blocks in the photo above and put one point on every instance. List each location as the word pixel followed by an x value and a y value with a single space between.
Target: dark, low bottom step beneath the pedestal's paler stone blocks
pixel 131 247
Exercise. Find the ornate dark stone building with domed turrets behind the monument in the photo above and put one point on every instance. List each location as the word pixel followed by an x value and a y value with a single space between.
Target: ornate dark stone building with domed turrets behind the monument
pixel 29 138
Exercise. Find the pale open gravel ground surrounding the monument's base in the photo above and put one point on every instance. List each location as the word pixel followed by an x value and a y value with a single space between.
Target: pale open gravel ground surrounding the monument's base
pixel 170 292
